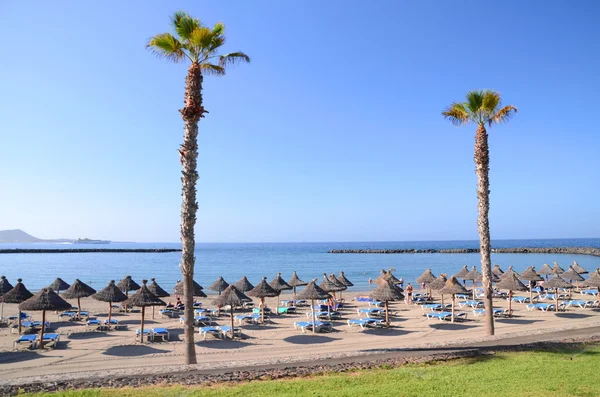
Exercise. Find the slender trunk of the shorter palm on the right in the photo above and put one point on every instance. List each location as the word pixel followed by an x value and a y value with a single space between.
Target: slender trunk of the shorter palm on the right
pixel 482 169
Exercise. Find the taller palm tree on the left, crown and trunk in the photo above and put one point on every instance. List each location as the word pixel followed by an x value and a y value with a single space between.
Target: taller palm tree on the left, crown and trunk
pixel 199 45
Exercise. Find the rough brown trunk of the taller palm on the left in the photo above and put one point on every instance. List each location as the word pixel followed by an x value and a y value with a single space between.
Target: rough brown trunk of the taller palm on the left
pixel 191 114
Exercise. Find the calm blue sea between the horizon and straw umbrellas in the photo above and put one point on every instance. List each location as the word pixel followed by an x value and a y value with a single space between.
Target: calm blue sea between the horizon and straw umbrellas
pixel 232 261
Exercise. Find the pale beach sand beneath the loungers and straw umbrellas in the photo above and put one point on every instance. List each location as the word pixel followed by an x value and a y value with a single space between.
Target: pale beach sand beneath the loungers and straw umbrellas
pixel 88 354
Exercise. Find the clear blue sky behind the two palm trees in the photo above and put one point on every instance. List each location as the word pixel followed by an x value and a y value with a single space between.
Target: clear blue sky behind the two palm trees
pixel 332 133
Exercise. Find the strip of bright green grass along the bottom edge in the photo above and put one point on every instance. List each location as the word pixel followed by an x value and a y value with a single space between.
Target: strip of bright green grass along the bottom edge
pixel 560 373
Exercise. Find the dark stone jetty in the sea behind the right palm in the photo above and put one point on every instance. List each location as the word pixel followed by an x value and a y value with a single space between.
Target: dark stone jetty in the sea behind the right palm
pixel 519 250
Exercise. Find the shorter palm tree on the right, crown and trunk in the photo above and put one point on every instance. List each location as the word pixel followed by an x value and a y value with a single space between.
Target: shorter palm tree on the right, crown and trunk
pixel 482 108
